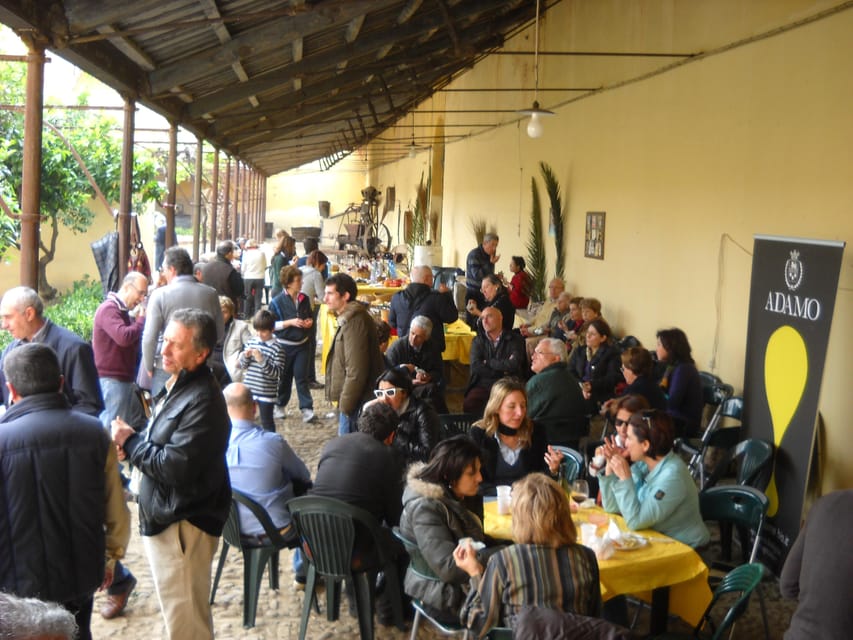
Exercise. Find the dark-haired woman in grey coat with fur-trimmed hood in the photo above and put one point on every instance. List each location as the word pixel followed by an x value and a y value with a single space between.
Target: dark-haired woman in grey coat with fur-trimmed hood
pixel 435 517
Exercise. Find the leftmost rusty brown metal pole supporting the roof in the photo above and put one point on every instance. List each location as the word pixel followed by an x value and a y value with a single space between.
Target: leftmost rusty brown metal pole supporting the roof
pixel 31 178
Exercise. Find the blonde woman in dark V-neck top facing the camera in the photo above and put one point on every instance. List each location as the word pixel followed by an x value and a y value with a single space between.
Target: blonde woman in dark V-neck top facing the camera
pixel 511 445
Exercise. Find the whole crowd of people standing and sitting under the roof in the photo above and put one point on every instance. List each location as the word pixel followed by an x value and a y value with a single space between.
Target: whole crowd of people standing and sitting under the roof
pixel 184 392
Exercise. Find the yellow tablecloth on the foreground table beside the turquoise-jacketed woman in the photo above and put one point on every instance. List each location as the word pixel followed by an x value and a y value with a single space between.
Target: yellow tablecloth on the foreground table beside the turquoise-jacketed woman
pixel 659 564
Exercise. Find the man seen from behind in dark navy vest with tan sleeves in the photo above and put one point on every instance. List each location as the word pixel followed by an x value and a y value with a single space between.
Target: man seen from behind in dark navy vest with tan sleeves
pixel 63 518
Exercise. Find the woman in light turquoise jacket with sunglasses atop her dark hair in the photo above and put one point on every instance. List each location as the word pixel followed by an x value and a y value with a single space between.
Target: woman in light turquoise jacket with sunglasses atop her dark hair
pixel 656 491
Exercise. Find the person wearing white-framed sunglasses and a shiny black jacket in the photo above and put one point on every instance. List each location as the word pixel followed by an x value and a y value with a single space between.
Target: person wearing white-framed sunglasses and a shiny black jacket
pixel 420 428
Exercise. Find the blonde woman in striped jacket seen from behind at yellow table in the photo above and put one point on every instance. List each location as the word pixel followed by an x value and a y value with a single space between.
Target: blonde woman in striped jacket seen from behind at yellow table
pixel 546 567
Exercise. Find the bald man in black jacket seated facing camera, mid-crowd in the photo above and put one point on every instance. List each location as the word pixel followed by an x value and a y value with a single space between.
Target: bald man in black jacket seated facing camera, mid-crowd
pixel 495 354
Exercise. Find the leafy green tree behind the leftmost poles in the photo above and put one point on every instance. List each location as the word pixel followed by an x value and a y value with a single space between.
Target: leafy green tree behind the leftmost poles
pixel 65 188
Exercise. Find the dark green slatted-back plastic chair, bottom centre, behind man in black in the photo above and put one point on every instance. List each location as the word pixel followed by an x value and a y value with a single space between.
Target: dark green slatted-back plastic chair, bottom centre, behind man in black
pixel 328 530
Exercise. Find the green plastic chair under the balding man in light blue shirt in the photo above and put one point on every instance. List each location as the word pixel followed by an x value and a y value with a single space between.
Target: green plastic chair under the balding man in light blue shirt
pixel 255 555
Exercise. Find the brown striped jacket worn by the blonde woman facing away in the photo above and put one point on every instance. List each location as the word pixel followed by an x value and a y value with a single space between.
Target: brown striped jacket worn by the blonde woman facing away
pixel 564 579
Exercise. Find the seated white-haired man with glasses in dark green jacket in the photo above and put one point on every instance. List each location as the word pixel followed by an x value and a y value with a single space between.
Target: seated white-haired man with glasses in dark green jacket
pixel 554 397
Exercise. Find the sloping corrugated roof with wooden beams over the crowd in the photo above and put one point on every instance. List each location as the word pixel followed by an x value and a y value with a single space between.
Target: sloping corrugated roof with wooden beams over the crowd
pixel 276 83
